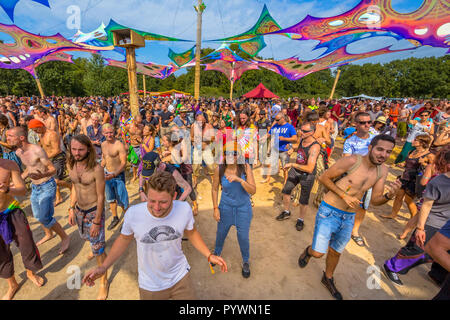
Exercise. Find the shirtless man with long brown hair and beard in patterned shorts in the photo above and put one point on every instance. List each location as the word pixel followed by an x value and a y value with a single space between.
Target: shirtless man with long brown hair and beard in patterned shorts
pixel 87 209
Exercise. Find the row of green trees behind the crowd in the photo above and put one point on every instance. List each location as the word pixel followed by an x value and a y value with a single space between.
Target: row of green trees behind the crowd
pixel 425 77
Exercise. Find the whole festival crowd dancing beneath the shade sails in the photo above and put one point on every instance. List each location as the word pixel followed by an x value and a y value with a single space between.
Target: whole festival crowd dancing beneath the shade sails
pixel 169 145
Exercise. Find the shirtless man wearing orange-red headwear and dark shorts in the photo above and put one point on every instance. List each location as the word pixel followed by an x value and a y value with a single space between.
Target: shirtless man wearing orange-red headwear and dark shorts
pixel 50 141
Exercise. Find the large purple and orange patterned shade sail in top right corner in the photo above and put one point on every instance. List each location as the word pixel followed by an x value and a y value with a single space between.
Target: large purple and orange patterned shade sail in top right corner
pixel 428 25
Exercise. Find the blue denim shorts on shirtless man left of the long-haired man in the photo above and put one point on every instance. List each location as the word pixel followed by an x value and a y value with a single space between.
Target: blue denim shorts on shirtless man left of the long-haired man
pixel 42 197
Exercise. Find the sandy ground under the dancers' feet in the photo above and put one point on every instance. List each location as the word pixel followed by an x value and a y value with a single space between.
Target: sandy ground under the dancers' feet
pixel 274 251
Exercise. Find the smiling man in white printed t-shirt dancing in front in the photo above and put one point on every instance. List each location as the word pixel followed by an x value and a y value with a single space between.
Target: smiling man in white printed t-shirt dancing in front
pixel 158 226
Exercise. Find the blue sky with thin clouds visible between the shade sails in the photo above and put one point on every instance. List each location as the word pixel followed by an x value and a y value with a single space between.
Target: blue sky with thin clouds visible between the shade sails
pixel 222 18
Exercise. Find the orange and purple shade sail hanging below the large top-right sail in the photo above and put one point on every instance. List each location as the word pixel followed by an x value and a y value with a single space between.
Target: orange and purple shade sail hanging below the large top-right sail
pixel 294 69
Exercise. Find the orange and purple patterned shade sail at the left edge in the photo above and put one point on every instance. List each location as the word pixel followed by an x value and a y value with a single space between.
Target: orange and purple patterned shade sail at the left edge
pixel 28 48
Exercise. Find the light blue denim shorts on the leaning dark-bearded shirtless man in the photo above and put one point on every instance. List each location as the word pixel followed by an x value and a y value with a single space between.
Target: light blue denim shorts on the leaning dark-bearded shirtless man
pixel 333 228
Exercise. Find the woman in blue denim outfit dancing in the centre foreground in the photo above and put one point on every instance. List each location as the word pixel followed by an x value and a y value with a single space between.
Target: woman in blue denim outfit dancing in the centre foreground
pixel 235 207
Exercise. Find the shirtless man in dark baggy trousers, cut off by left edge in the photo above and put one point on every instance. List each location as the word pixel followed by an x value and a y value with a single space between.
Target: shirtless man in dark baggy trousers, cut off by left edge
pixel 11 185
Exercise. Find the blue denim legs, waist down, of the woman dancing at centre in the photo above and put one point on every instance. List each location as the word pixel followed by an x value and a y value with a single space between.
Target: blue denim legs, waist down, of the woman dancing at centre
pixel 241 218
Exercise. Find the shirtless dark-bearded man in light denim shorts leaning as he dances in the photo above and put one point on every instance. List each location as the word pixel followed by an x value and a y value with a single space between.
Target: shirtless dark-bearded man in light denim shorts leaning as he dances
pixel 336 214
